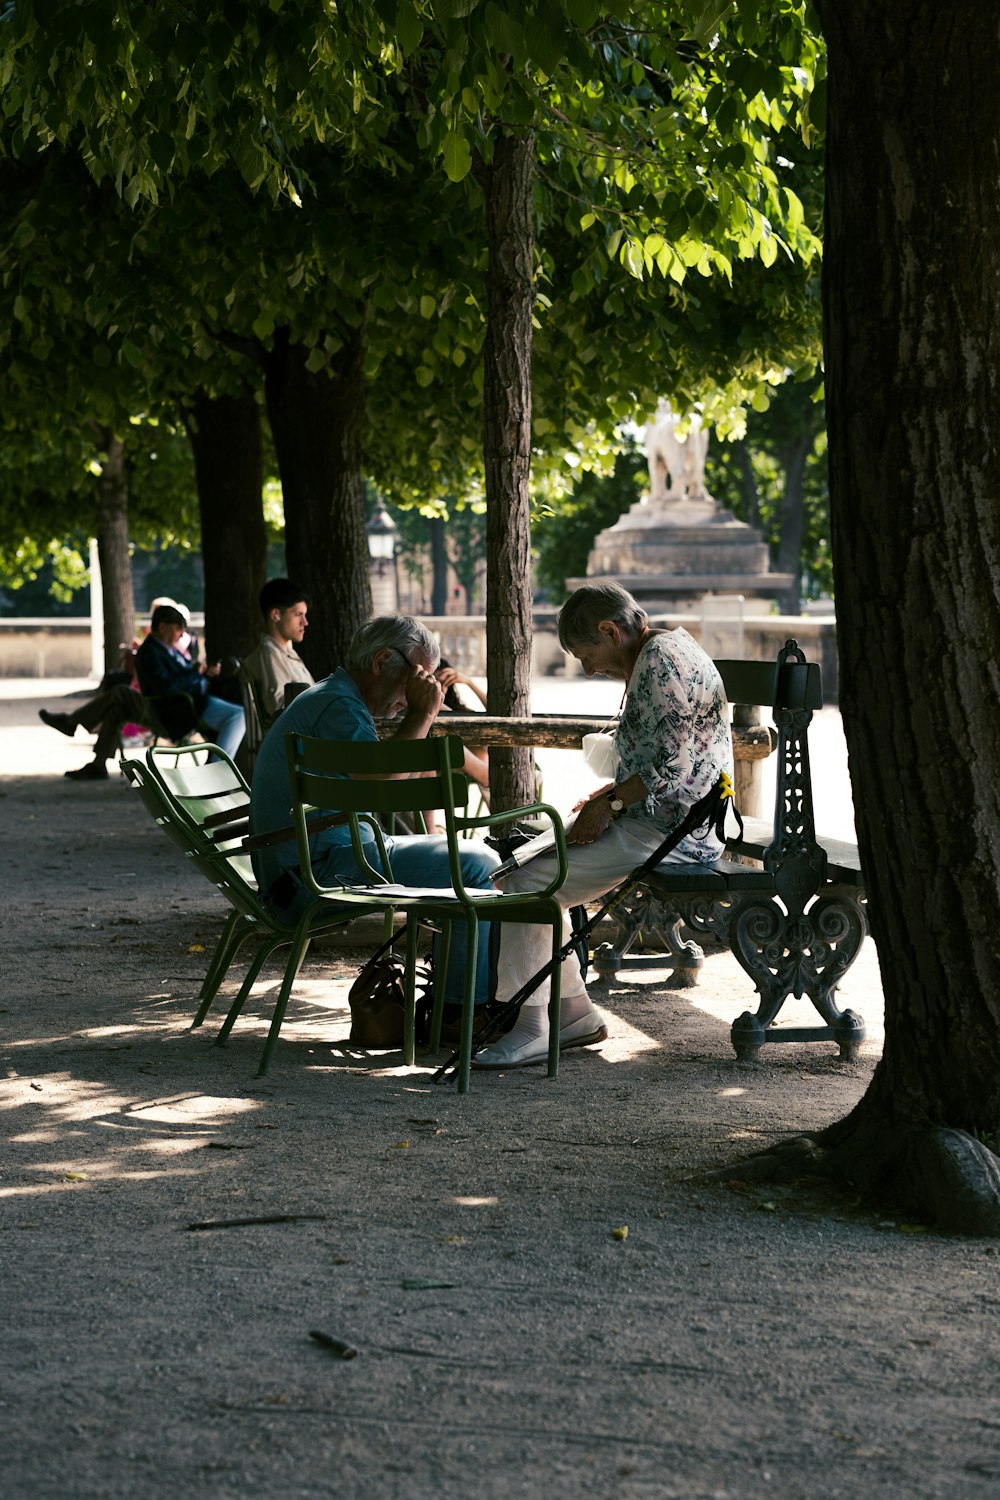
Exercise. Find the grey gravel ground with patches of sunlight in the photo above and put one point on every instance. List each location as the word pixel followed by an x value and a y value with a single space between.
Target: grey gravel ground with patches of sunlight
pixel 740 1342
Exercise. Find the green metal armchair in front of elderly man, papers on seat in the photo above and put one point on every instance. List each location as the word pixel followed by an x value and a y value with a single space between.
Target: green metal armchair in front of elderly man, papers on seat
pixel 416 776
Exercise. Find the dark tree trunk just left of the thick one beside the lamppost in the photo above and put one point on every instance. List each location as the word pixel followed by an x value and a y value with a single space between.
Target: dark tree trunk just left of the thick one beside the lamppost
pixel 226 439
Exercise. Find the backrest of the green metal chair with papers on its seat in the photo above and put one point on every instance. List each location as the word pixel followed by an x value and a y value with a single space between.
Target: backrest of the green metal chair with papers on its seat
pixel 344 778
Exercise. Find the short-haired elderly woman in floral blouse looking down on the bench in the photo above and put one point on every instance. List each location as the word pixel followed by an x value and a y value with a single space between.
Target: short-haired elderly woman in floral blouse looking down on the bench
pixel 672 745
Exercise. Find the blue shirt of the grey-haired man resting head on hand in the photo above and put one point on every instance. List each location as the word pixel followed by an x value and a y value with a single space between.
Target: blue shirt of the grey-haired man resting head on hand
pixel 332 710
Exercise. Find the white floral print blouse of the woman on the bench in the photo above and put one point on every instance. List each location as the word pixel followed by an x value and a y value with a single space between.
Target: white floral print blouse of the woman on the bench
pixel 674 733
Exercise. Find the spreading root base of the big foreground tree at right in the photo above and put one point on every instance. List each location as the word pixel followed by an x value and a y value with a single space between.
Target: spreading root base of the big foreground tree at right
pixel 935 1174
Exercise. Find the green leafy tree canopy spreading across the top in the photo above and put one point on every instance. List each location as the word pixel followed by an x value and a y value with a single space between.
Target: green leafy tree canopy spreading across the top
pixel 181 191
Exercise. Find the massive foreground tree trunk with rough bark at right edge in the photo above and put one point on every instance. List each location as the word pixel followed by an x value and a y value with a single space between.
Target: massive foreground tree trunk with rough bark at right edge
pixel 912 305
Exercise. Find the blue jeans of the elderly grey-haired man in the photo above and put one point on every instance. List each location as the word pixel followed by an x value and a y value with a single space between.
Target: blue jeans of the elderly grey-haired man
pixel 424 860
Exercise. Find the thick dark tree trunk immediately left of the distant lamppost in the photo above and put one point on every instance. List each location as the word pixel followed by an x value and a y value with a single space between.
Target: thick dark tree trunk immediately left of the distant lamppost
pixel 317 422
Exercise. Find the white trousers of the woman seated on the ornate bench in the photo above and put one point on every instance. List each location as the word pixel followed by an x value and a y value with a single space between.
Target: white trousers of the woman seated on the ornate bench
pixel 594 871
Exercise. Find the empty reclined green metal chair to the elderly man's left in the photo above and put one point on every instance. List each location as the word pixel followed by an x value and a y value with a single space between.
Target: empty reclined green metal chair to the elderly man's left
pixel 200 800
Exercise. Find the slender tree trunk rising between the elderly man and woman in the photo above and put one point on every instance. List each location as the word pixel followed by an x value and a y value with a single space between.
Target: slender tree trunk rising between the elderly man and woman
pixel 507 455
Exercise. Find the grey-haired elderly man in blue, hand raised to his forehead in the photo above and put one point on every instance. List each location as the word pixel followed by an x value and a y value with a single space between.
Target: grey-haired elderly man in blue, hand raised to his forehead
pixel 391 670
